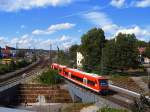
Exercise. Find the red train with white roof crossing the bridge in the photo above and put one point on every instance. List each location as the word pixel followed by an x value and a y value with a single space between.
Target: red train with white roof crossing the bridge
pixel 91 81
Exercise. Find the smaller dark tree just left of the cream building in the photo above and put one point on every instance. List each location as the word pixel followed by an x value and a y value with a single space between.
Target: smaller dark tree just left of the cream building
pixel 72 55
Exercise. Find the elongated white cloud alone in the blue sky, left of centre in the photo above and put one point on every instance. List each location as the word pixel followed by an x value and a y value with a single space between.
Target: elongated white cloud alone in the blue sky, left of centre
pixel 53 29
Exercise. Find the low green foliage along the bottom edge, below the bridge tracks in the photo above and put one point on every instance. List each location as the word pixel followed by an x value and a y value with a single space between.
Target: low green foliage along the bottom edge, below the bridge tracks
pixel 108 109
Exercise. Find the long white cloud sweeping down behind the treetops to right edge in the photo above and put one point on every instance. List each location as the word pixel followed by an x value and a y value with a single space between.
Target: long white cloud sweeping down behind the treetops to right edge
pixel 100 19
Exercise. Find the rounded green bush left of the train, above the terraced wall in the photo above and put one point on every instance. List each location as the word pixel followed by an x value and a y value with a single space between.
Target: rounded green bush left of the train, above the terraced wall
pixel 50 77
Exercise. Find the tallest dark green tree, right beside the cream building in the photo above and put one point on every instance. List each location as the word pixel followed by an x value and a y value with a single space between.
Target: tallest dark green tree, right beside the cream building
pixel 91 48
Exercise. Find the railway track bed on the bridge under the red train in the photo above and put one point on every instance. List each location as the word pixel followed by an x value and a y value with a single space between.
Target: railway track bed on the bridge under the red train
pixel 120 96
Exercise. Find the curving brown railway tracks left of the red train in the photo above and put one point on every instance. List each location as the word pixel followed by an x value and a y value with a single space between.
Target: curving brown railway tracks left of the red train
pixel 23 76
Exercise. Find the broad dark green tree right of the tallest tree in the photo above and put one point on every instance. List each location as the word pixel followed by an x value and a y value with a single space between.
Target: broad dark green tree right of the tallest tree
pixel 121 53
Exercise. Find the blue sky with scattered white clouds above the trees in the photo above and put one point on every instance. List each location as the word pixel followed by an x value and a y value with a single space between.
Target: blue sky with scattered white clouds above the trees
pixel 39 23
